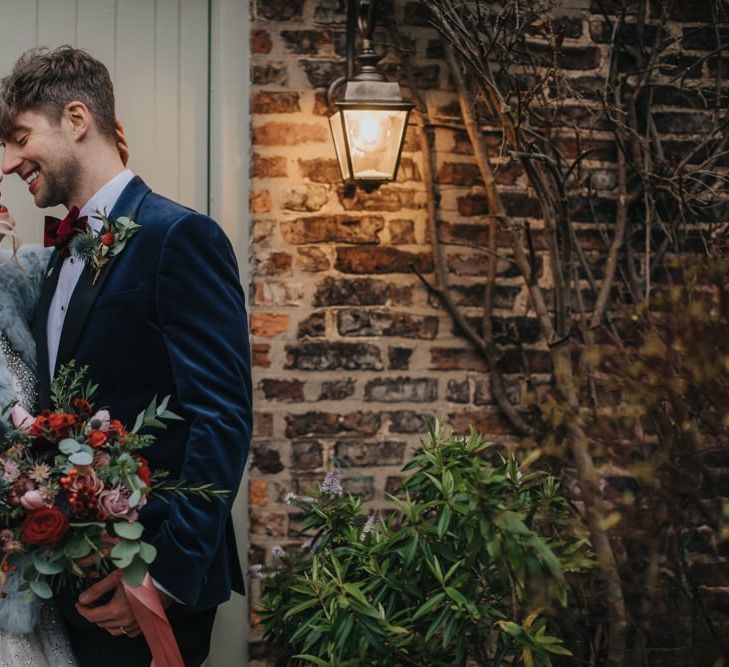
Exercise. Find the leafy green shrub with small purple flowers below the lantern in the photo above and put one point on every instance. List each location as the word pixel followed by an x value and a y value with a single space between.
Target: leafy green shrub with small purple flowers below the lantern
pixel 468 567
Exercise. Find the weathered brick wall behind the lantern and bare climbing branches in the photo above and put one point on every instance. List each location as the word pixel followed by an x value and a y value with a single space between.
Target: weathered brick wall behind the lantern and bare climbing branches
pixel 350 351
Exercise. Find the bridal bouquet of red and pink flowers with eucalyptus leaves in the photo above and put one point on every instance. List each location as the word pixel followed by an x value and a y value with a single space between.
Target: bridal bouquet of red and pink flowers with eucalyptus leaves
pixel 72 482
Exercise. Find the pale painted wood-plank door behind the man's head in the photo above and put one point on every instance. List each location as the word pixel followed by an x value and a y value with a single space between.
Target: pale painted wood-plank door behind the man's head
pixel 157 55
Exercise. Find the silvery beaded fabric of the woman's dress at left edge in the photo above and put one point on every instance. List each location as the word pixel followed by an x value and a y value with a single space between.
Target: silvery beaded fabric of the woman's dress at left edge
pixel 47 645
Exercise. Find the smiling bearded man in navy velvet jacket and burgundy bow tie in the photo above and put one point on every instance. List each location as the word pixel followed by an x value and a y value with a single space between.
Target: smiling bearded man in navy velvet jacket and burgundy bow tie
pixel 165 316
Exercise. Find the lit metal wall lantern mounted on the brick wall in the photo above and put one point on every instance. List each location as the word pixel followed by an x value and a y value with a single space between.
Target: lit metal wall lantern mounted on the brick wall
pixel 369 122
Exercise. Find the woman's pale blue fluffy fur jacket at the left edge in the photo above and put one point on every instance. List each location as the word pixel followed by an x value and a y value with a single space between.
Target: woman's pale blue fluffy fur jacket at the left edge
pixel 20 282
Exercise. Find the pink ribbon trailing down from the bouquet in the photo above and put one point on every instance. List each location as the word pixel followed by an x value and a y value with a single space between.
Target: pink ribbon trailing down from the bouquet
pixel 150 614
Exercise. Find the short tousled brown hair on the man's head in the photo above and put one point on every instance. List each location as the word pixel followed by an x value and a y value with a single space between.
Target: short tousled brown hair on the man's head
pixel 46 80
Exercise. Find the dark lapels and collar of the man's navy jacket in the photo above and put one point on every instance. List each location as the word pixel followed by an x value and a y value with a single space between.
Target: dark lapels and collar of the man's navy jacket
pixel 86 291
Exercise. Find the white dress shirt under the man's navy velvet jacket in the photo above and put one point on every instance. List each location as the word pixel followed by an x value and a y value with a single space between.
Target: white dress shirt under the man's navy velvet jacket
pixel 72 268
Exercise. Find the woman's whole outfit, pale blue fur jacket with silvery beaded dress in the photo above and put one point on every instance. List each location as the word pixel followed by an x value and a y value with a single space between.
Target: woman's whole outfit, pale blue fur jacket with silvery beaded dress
pixel 40 639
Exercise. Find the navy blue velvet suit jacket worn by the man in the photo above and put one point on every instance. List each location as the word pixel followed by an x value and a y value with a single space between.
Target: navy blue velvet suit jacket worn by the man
pixel 167 317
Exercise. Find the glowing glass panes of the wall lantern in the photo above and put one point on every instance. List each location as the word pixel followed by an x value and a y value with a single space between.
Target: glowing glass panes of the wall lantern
pixel 374 137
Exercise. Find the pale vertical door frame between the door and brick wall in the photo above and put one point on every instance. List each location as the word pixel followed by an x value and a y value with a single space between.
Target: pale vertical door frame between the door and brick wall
pixel 228 167
